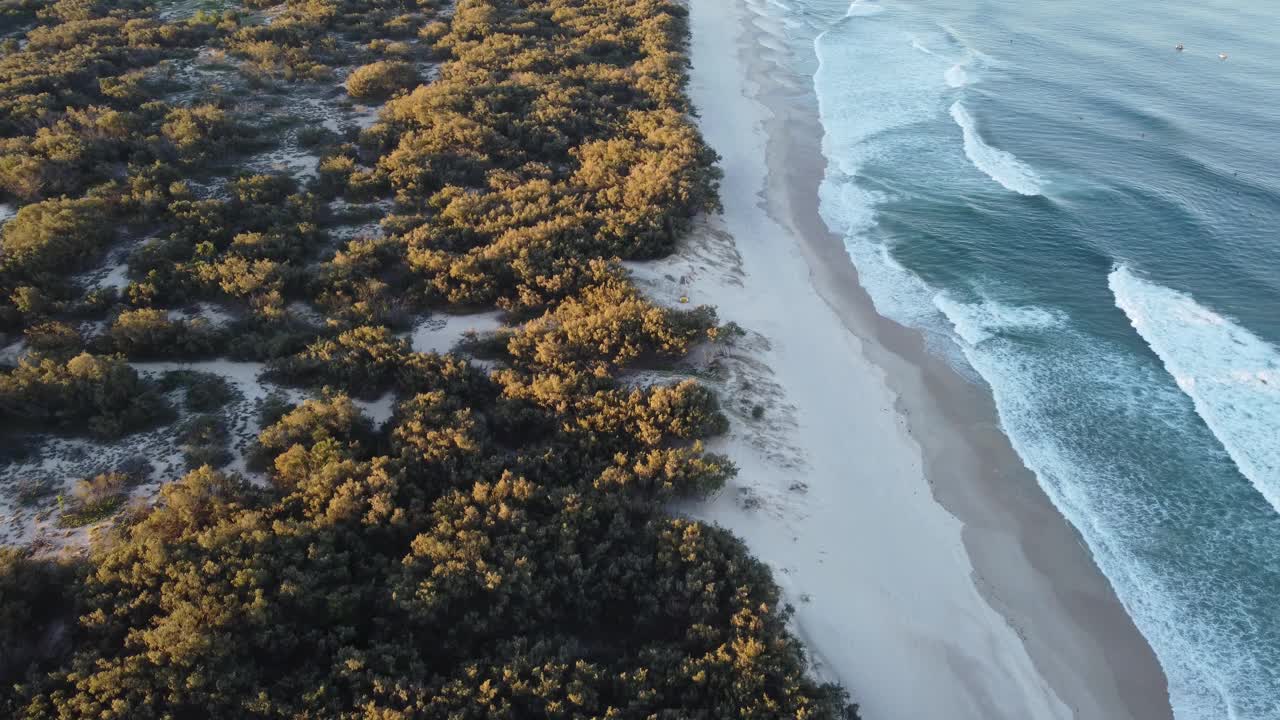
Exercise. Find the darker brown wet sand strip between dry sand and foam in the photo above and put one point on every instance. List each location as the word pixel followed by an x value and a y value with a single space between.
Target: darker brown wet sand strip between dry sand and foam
pixel 1012 530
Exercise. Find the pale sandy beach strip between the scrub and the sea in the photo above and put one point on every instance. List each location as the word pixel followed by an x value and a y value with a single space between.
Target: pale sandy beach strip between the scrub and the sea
pixel 929 572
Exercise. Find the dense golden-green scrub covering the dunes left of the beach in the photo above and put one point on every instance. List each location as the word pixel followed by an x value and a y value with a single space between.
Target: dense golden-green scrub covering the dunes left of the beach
pixel 499 548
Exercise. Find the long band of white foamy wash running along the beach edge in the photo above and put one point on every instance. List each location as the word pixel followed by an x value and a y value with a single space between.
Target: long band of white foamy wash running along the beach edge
pixel 1050 381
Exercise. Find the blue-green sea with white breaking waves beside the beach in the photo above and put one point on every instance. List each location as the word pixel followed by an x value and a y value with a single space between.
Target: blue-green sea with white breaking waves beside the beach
pixel 1086 220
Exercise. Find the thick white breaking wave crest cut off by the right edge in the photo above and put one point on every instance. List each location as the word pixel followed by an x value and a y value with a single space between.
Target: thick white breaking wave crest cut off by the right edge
pixel 1232 376
